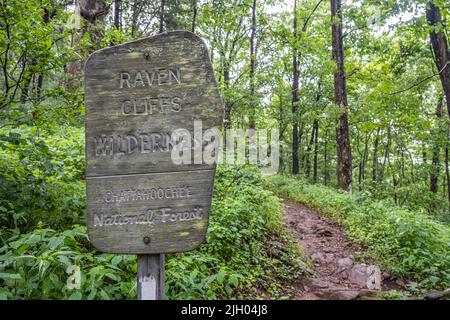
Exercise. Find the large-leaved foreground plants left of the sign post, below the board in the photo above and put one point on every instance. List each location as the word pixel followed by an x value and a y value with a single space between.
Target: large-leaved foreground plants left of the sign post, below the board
pixel 35 265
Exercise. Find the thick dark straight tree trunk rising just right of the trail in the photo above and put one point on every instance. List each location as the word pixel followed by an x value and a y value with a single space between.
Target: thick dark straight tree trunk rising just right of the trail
pixel 344 155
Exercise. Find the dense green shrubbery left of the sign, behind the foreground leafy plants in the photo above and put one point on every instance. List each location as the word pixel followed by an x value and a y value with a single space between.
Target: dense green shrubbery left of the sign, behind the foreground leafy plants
pixel 41 178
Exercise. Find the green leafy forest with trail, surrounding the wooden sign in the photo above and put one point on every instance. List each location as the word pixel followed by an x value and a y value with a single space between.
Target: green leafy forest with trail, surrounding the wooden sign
pixel 357 90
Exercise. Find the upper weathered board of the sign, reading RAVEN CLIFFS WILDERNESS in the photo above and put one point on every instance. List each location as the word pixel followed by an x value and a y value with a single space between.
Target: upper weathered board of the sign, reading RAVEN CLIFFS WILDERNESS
pixel 197 93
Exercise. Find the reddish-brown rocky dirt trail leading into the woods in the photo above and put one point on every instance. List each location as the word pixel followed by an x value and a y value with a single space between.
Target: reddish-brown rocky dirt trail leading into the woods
pixel 336 274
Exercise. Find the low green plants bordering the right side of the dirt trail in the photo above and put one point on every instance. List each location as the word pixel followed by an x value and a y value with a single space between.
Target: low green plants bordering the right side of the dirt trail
pixel 406 243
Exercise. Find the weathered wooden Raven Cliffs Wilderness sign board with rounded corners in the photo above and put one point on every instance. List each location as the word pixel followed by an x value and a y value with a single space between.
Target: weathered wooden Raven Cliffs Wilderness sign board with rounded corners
pixel 139 200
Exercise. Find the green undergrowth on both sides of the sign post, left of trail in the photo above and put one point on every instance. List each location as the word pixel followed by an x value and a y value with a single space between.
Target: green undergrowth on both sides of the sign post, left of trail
pixel 44 246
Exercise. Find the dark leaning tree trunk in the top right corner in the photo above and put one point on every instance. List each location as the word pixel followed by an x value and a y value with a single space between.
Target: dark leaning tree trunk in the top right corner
pixel 441 51
